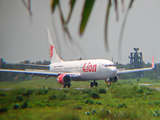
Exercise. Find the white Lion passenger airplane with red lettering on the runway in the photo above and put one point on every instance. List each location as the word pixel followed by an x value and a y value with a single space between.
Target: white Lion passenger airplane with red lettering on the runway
pixel 78 70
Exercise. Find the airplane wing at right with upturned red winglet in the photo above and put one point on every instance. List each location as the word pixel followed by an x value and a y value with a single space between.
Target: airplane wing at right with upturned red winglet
pixel 119 72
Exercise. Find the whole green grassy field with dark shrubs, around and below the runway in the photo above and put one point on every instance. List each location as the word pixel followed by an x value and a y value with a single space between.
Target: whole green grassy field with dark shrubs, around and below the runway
pixel 123 100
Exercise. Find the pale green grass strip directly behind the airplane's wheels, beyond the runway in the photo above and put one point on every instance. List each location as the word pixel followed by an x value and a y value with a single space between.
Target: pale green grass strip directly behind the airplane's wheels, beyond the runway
pixel 39 82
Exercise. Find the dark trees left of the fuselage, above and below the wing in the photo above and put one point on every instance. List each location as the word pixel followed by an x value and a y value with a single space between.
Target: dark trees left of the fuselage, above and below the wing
pixel 8 76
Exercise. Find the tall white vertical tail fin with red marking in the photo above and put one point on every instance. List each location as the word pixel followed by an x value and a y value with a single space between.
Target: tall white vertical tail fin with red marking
pixel 52 50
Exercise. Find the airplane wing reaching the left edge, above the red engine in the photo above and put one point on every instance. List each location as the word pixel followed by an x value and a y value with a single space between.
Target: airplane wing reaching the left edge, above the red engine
pixel 39 72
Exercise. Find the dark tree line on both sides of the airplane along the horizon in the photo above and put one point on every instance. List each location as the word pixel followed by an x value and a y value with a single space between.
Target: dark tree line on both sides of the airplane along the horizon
pixel 6 76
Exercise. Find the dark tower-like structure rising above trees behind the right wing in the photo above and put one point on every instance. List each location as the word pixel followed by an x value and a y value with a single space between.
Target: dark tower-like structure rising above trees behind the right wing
pixel 136 60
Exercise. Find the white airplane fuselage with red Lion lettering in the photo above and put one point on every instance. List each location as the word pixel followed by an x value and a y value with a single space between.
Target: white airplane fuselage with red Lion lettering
pixel 88 69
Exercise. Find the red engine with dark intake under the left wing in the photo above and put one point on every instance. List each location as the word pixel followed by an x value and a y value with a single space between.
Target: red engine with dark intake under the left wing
pixel 64 79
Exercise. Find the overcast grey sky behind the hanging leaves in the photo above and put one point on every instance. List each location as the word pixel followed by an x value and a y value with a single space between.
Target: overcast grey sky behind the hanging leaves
pixel 24 38
